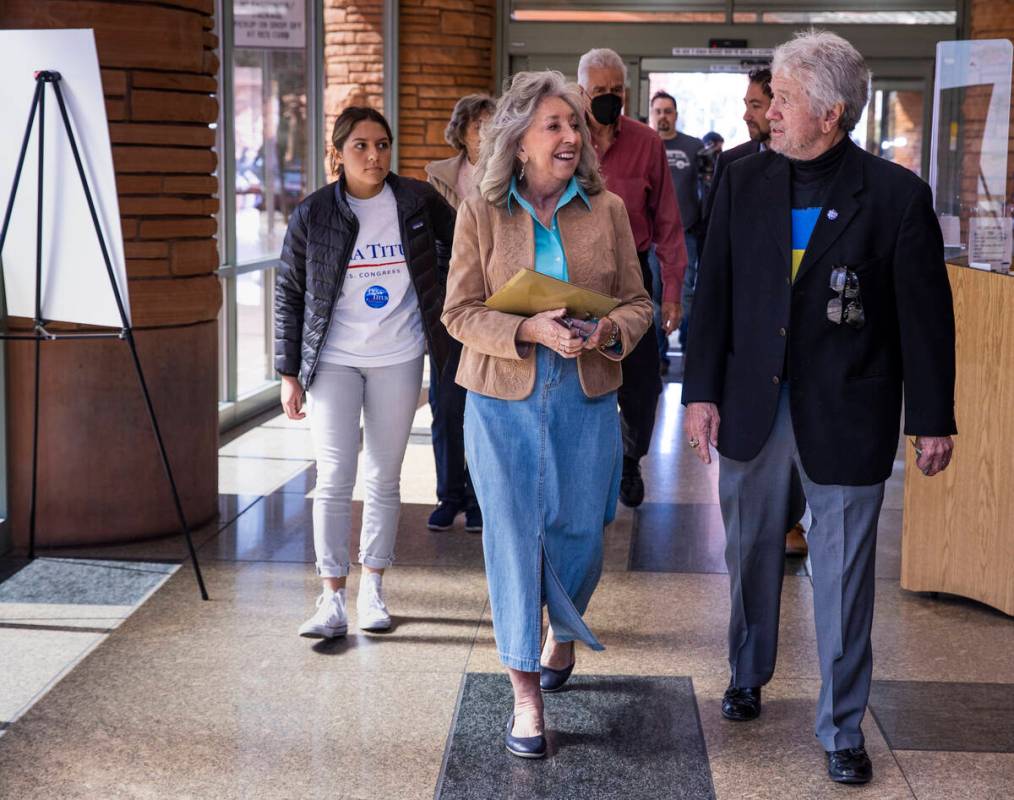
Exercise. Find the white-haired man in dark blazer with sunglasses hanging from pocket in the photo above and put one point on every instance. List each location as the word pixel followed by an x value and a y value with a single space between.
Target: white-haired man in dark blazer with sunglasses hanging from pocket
pixel 823 293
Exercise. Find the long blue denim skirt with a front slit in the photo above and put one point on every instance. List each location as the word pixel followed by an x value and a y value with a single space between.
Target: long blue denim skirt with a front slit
pixel 547 475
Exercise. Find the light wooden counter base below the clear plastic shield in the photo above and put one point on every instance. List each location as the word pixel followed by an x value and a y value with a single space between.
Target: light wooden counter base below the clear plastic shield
pixel 959 529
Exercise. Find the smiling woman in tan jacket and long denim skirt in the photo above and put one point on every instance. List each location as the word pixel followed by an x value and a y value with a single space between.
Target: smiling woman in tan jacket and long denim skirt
pixel 542 429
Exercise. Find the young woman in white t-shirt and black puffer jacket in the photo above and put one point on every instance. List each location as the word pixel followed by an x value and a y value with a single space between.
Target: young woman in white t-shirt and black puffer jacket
pixel 357 306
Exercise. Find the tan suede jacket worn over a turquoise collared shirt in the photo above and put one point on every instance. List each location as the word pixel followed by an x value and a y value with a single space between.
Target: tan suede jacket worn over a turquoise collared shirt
pixel 492 244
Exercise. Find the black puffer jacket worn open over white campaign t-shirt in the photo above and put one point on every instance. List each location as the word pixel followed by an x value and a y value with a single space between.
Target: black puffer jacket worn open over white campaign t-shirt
pixel 316 256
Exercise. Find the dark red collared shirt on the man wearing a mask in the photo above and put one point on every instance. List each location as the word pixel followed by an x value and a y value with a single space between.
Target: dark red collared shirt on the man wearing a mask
pixel 635 168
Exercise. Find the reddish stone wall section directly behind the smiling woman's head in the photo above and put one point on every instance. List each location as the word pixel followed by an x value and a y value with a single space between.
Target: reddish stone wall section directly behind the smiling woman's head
pixel 447 52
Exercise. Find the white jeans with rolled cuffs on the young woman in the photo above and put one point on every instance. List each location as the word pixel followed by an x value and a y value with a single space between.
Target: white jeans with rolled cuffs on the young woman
pixel 387 398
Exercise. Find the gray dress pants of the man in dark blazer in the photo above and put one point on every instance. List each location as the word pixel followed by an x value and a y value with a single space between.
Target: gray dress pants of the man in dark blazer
pixel 755 497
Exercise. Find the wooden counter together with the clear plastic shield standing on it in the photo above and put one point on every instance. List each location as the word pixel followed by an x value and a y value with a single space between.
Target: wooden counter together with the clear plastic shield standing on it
pixel 958 535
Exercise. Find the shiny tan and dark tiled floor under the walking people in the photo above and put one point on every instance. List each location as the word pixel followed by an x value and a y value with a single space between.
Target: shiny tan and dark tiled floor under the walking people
pixel 223 700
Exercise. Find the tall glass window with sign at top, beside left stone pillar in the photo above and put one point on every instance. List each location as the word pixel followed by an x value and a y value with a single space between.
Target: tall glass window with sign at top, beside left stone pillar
pixel 271 83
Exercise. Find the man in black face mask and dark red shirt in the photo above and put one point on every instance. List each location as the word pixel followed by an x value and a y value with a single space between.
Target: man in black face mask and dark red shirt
pixel 635 167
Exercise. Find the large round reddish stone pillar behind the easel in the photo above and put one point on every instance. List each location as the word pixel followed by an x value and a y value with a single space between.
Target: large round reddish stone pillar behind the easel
pixel 101 479
